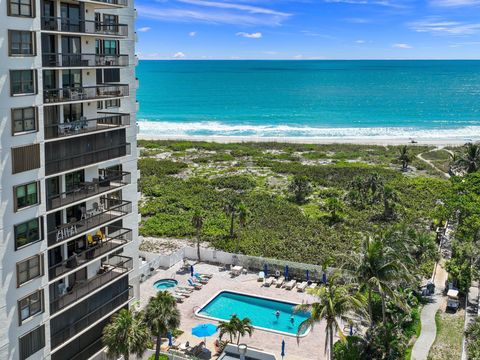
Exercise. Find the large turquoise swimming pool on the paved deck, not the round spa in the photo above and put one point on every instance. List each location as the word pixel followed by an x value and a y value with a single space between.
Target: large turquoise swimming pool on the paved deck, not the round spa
pixel 260 310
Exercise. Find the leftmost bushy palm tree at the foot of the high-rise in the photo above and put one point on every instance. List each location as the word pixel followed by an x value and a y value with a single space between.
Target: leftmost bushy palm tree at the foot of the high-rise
pixel 126 334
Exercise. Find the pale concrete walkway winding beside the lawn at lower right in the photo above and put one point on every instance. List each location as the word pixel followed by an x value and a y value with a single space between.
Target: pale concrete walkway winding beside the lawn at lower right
pixel 426 339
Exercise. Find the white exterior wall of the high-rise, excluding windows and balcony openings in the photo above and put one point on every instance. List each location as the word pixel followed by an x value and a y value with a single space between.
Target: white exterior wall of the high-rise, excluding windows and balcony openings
pixel 10 293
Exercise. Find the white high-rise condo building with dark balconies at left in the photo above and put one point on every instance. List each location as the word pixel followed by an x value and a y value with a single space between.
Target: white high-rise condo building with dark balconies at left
pixel 68 190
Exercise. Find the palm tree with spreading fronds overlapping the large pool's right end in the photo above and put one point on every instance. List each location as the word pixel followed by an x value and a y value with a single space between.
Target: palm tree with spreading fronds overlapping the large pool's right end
pixel 335 301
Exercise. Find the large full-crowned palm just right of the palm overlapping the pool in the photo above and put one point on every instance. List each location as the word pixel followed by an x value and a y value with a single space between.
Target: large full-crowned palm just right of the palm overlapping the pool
pixel 376 270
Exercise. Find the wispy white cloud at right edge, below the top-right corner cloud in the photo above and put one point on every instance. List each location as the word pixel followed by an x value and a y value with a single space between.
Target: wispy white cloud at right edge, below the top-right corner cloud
pixel 437 26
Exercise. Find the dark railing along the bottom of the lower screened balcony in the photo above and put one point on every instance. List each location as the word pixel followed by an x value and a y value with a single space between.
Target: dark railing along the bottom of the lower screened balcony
pixel 63 335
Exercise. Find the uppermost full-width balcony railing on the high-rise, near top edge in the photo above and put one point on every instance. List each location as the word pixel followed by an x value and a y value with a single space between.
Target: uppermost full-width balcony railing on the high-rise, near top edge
pixel 83 26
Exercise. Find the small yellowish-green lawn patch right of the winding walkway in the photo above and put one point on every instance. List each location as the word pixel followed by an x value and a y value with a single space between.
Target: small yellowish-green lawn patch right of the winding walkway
pixel 448 343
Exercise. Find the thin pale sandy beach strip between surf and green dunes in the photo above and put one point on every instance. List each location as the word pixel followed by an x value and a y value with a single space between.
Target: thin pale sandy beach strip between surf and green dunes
pixel 317 140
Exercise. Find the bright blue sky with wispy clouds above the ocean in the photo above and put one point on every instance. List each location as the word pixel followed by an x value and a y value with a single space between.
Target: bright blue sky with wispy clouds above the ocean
pixel 308 29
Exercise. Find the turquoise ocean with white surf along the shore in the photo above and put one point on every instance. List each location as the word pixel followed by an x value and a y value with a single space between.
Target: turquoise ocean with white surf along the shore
pixel 353 99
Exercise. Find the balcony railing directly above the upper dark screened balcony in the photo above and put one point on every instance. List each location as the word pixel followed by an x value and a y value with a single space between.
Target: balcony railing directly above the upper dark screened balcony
pixel 104 122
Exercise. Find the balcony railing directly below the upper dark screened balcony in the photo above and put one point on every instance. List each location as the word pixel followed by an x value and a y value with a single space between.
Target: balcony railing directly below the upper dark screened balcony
pixel 109 181
